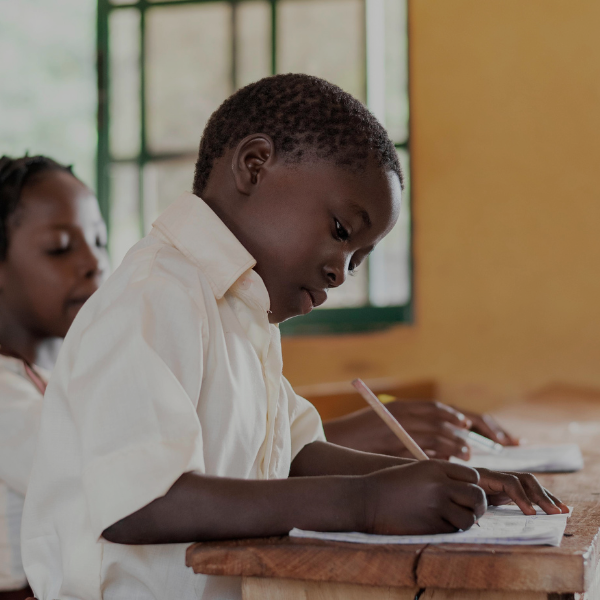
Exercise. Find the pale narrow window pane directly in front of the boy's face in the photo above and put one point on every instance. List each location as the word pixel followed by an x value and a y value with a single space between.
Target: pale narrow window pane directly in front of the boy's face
pixel 389 263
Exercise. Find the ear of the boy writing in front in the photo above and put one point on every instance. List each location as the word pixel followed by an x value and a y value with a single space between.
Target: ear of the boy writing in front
pixel 253 155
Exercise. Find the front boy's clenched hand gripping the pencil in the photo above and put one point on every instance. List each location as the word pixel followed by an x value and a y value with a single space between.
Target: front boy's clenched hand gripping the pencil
pixel 423 497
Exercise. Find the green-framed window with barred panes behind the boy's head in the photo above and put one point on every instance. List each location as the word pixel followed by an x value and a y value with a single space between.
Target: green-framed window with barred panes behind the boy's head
pixel 166 65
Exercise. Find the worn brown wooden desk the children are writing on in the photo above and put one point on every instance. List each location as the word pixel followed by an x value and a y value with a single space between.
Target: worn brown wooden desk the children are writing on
pixel 294 569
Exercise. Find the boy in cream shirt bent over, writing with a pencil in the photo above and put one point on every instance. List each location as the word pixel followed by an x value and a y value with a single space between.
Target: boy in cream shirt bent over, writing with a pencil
pixel 168 420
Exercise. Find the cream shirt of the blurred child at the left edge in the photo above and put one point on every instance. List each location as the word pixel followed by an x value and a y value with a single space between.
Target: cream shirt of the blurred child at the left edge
pixel 20 411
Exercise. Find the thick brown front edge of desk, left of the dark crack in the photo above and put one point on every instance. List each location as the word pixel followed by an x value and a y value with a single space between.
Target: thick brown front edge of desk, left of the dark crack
pixel 310 560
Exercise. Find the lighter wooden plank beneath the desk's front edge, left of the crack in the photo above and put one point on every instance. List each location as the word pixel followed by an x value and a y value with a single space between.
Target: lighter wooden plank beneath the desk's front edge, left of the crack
pixel 254 588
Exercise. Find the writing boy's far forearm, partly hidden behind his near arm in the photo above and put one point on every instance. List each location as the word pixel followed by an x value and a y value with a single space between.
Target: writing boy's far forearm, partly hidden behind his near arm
pixel 322 458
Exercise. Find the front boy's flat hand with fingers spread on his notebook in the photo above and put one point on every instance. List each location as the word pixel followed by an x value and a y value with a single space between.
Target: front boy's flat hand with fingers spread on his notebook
pixel 521 488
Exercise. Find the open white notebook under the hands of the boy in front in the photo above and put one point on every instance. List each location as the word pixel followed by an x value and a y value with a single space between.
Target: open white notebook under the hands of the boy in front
pixel 499 525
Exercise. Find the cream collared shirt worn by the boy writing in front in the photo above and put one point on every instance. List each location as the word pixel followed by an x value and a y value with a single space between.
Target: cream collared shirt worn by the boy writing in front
pixel 171 367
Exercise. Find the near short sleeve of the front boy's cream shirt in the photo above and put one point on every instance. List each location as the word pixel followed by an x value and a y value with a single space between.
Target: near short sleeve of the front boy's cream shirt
pixel 133 394
